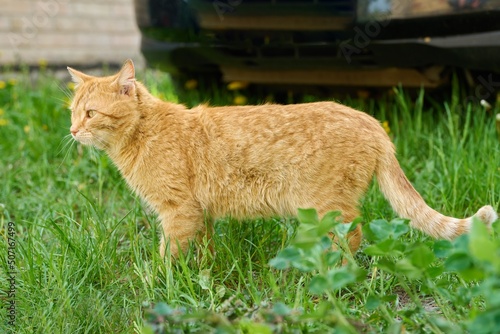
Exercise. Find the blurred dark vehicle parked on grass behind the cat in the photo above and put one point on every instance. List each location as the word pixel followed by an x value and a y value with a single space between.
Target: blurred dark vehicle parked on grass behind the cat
pixel 370 43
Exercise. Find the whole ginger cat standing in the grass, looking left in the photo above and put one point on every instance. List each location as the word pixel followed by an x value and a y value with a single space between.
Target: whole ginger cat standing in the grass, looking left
pixel 247 161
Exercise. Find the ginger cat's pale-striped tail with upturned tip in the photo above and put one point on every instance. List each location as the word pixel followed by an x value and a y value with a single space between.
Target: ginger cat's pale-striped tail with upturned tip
pixel 408 203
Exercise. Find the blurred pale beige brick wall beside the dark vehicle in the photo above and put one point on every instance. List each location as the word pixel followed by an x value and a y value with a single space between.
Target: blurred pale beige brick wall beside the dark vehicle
pixel 68 32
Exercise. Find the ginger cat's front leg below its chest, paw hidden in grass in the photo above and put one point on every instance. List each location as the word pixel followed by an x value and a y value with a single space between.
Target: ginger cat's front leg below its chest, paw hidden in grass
pixel 180 226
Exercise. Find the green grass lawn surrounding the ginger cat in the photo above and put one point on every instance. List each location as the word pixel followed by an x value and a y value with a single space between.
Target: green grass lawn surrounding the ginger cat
pixel 86 249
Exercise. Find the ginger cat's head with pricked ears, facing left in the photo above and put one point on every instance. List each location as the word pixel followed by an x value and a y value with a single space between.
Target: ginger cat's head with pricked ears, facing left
pixel 104 110
